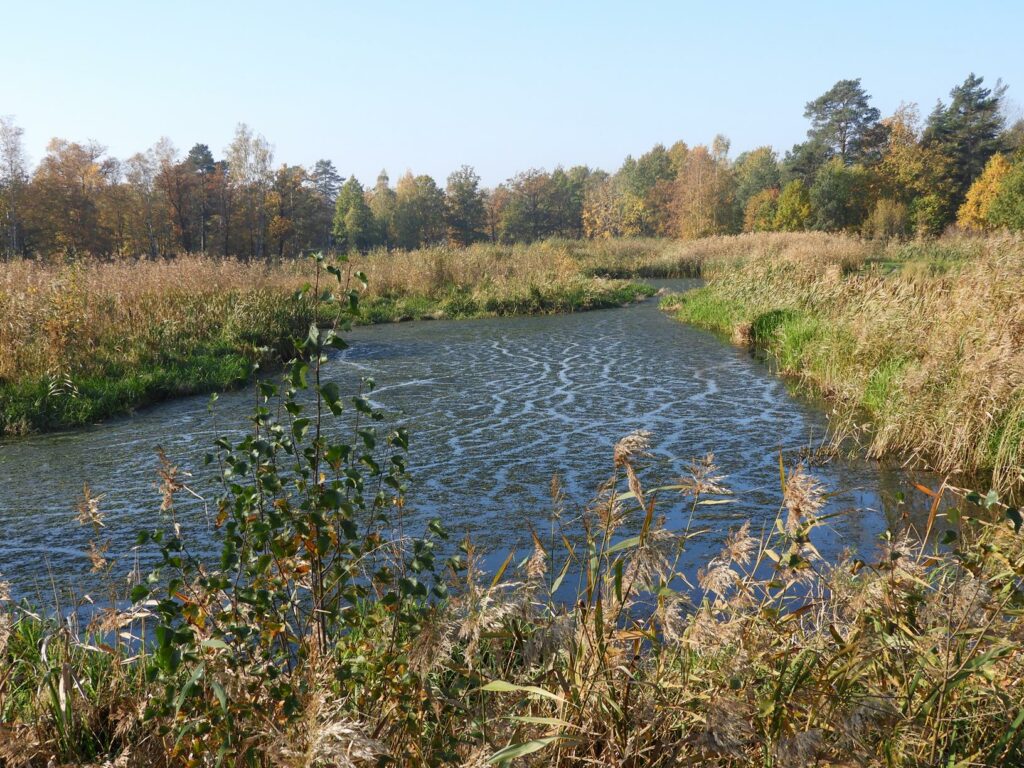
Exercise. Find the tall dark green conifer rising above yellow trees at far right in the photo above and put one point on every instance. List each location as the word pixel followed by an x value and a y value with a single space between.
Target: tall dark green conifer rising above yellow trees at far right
pixel 967 133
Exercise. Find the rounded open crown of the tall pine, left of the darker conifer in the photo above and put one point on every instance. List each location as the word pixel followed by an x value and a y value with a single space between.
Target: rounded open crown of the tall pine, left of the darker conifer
pixel 843 121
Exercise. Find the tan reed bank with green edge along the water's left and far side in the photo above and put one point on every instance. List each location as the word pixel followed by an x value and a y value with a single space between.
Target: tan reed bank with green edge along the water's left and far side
pixel 83 342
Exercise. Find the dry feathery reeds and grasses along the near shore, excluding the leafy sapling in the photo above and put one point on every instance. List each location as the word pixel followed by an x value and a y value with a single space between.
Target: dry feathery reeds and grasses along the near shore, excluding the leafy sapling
pixel 916 659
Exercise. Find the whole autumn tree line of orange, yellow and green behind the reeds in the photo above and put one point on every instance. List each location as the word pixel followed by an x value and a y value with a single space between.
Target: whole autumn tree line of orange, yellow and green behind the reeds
pixel 857 172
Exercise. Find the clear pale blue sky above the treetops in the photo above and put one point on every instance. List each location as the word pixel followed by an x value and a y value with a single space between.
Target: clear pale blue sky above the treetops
pixel 501 87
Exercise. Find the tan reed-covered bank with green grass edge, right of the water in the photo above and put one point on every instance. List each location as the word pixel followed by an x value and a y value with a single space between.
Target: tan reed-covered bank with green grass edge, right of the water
pixel 919 347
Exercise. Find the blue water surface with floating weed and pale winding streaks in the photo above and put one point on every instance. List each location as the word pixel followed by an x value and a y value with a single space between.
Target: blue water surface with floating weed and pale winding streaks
pixel 495 408
